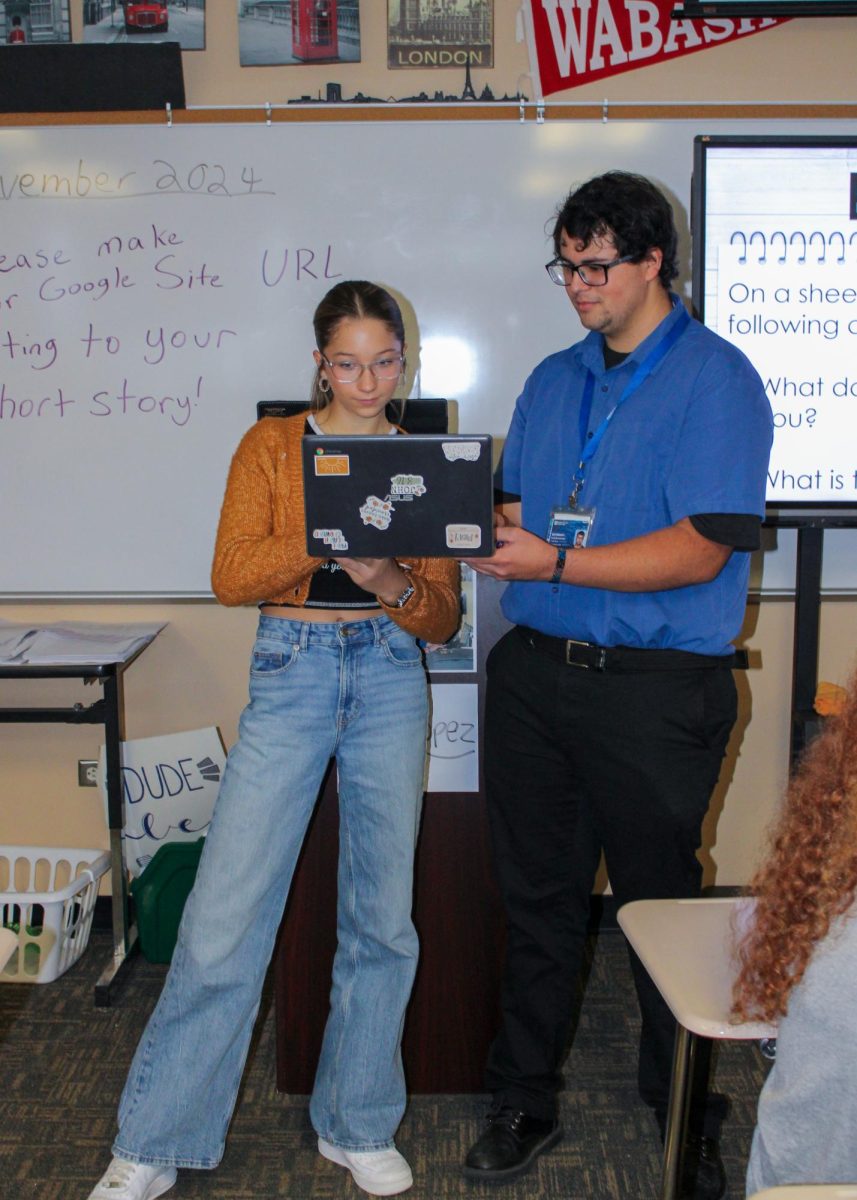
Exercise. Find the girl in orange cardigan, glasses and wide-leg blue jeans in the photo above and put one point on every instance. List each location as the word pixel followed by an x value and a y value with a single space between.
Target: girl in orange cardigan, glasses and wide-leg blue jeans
pixel 335 673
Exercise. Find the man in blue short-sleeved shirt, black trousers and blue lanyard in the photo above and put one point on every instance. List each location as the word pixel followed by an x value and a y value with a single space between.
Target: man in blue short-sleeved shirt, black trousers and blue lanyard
pixel 633 488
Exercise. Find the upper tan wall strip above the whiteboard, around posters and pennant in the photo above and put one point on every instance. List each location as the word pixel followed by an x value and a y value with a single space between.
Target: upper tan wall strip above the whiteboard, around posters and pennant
pixel 808 61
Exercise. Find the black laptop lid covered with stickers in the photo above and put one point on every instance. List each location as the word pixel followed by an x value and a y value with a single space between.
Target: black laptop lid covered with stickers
pixel 423 495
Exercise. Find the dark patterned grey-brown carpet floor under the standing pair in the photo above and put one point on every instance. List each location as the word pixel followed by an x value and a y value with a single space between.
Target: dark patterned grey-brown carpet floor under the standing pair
pixel 63 1064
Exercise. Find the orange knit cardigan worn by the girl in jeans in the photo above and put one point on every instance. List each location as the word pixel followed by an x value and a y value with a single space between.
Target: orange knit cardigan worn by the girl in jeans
pixel 261 548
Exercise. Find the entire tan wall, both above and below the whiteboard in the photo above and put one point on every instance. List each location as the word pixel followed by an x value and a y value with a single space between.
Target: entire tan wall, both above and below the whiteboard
pixel 195 675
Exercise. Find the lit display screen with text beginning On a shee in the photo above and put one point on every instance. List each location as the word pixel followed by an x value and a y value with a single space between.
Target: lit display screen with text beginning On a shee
pixel 775 251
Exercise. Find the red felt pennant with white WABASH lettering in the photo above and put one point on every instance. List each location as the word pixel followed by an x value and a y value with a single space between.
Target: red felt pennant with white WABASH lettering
pixel 580 41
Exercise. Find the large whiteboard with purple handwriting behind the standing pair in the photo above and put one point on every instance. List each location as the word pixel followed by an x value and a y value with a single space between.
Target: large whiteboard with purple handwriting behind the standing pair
pixel 157 283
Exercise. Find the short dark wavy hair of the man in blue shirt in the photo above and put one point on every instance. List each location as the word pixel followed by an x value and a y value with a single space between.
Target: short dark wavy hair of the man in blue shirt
pixel 630 211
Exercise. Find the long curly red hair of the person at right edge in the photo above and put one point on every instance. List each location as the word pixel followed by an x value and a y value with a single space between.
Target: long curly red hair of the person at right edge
pixel 811 873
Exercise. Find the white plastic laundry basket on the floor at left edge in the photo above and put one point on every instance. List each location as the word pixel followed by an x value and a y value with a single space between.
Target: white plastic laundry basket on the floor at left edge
pixel 47 899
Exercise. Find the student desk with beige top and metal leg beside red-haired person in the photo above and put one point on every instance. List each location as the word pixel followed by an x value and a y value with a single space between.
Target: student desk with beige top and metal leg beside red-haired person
pixel 687 949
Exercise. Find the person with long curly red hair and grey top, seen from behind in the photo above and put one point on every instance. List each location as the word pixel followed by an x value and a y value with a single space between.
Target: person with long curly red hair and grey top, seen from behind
pixel 799 967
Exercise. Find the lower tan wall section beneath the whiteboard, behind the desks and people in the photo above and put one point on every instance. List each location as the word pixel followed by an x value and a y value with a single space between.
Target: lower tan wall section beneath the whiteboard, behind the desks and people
pixel 196 675
